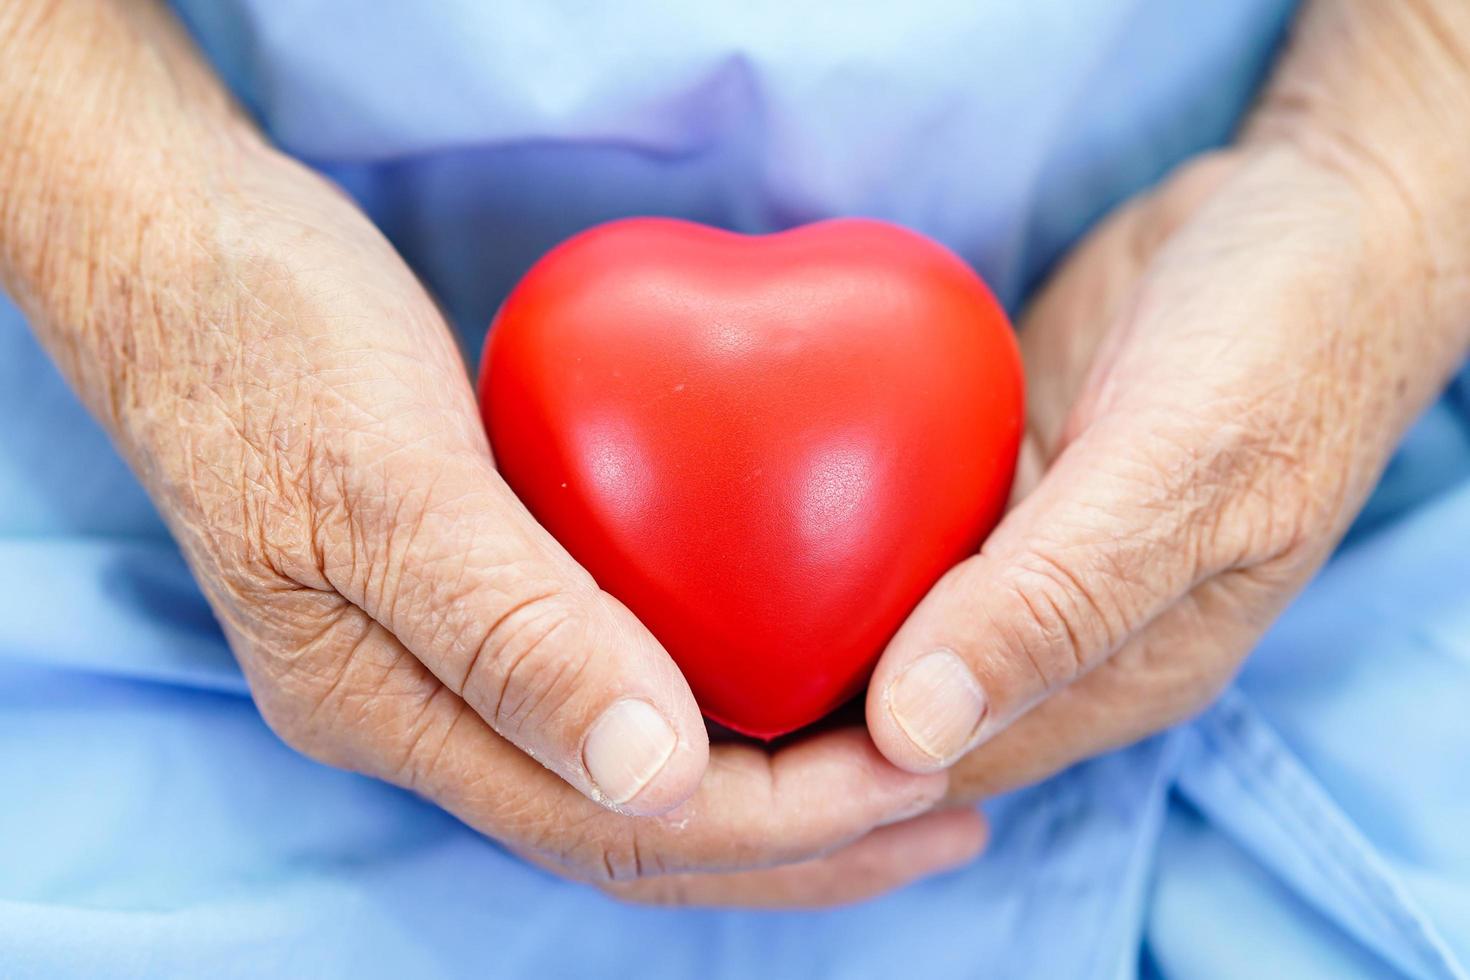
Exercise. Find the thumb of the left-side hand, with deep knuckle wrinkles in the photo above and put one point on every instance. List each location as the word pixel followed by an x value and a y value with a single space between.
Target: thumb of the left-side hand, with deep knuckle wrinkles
pixel 439 552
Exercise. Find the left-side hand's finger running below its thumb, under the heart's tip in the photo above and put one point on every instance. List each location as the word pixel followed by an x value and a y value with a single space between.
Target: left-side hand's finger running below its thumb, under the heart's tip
pixel 387 716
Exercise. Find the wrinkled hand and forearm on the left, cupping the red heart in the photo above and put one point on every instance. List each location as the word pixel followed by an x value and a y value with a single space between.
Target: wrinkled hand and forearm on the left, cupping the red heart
pixel 299 412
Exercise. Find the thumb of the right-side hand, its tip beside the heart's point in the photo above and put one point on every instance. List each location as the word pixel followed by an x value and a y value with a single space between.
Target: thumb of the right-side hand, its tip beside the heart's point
pixel 1102 547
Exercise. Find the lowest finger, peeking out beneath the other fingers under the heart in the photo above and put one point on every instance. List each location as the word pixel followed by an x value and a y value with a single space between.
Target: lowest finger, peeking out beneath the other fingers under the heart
pixel 884 860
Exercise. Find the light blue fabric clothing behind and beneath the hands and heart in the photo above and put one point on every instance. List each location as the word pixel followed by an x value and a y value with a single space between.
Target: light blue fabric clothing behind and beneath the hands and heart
pixel 1309 825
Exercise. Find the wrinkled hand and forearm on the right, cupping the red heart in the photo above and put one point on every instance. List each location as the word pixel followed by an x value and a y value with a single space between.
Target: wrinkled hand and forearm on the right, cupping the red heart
pixel 1216 380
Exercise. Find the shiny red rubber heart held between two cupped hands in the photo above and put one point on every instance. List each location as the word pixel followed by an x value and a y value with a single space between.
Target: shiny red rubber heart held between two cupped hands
pixel 767 447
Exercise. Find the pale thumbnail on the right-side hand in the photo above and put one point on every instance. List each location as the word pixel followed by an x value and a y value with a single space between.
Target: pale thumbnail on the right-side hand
pixel 939 705
